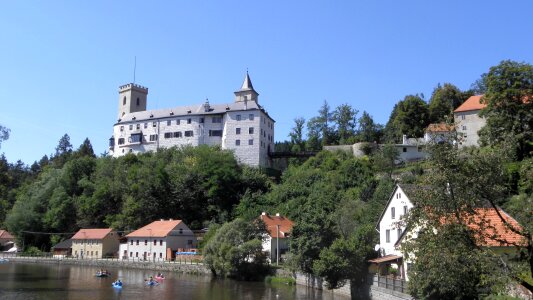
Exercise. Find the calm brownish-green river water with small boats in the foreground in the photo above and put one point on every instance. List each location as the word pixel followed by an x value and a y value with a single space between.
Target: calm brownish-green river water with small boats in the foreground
pixel 44 281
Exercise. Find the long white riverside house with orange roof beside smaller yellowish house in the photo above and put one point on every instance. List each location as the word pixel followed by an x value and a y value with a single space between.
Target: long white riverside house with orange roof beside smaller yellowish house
pixel 159 240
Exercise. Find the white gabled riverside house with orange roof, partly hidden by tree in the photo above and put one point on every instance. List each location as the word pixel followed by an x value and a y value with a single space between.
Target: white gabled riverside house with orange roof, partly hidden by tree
pixel 392 231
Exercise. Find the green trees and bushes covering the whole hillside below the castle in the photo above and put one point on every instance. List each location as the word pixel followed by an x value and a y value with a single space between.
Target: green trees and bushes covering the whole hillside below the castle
pixel 334 199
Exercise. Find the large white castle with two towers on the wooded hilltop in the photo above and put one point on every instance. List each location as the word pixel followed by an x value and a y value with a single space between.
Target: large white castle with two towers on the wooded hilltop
pixel 242 126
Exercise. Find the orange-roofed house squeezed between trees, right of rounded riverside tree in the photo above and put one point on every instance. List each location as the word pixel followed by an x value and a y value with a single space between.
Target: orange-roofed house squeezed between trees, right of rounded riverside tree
pixel 278 228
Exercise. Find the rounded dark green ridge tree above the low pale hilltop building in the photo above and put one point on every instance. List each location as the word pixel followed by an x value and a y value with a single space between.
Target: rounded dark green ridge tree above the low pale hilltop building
pixel 409 116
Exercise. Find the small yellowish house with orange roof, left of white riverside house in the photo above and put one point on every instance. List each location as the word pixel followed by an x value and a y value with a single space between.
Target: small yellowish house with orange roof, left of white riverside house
pixel 95 243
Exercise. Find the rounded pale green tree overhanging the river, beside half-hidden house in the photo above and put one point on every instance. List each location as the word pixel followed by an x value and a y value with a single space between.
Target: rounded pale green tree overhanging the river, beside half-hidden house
pixel 236 250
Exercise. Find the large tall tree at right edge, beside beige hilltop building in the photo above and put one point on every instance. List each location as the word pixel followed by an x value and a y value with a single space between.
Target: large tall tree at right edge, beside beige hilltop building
pixel 509 110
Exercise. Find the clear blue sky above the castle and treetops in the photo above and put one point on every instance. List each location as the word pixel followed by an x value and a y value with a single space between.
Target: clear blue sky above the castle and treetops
pixel 61 62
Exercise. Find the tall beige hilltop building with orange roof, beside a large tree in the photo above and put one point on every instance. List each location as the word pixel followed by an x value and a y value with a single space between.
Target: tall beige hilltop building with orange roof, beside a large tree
pixel 468 122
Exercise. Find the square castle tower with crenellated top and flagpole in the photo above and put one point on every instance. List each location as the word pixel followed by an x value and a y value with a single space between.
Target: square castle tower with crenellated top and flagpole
pixel 131 98
